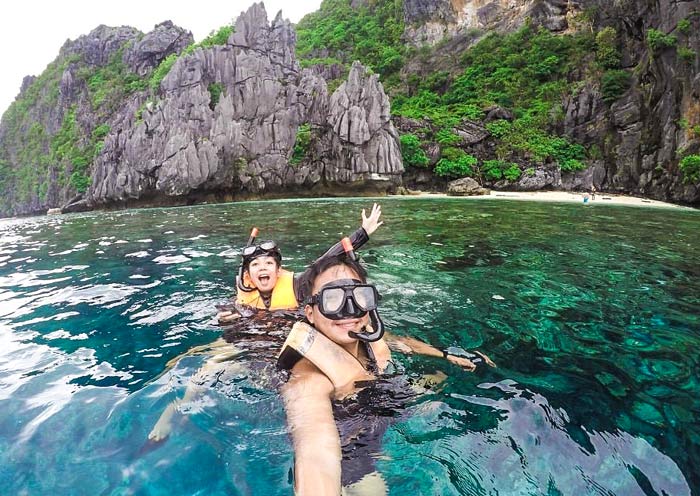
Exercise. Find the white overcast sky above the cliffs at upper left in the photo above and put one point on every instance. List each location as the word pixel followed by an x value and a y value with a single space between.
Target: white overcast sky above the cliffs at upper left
pixel 33 31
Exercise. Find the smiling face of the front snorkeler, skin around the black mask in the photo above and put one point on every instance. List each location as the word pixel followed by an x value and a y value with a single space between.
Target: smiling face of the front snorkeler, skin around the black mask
pixel 335 330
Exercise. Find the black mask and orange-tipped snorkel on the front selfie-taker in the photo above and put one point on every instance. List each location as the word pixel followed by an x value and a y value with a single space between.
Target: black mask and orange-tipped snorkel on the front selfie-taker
pixel 350 299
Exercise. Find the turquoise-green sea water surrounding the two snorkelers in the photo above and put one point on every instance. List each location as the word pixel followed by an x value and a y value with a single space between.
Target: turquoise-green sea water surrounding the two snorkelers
pixel 591 313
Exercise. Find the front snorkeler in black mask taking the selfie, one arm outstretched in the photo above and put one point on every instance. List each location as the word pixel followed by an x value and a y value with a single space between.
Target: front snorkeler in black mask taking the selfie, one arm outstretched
pixel 339 349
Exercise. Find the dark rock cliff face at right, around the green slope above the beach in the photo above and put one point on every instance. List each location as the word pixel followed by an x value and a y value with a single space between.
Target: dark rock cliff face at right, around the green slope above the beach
pixel 641 136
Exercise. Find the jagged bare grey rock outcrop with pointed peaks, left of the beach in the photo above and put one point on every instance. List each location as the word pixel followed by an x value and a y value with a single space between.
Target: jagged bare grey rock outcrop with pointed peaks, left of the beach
pixel 244 143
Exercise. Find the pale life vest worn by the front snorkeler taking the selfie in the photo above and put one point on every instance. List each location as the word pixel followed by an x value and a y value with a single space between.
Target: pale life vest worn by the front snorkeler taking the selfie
pixel 335 362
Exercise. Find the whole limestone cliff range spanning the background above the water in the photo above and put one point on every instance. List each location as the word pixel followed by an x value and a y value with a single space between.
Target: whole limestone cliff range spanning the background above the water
pixel 125 118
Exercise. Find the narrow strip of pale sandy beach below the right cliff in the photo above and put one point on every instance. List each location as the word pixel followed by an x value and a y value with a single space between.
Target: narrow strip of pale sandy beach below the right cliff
pixel 568 196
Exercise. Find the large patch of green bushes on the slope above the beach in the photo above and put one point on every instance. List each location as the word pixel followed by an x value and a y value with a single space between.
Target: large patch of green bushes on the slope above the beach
pixel 525 73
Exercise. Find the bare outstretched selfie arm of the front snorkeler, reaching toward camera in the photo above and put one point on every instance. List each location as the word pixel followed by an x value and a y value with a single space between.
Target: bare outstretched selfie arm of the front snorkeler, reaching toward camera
pixel 315 437
